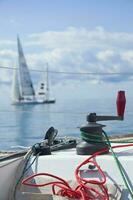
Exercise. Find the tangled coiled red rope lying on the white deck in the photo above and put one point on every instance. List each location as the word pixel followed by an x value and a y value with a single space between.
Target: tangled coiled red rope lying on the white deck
pixel 86 189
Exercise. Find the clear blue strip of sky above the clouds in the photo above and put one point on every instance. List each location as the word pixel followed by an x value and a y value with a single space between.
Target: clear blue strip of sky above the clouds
pixel 31 16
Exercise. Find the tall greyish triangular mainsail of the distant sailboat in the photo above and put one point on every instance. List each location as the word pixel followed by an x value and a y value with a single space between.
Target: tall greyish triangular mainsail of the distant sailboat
pixel 26 86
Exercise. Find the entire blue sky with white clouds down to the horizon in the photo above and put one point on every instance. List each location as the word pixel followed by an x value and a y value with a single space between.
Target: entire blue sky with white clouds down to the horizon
pixel 78 36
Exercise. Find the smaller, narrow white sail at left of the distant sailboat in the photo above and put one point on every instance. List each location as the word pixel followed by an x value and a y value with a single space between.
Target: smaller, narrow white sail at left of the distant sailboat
pixel 15 87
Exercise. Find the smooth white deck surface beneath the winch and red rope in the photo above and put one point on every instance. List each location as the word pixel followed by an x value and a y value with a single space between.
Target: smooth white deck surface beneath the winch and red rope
pixel 64 163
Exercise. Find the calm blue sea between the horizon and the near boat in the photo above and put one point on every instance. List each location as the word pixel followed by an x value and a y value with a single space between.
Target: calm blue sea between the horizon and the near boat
pixel 26 125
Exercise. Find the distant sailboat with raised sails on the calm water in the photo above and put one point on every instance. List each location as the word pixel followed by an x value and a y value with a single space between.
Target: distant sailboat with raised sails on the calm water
pixel 23 91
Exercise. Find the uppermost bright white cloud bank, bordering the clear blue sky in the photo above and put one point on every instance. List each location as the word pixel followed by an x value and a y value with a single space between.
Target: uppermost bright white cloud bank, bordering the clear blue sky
pixel 80 38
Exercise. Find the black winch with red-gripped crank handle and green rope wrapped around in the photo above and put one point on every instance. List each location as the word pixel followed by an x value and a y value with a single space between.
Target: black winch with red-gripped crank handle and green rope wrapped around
pixel 92 132
